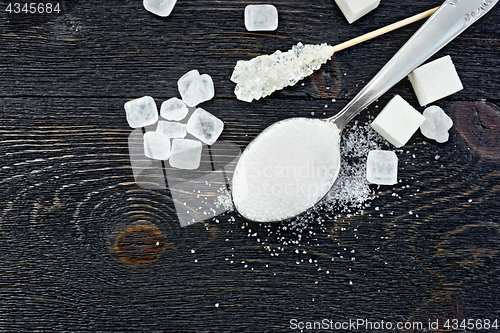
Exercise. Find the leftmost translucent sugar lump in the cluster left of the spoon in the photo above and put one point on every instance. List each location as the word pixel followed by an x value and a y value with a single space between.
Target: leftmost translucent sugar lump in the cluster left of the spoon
pixel 141 112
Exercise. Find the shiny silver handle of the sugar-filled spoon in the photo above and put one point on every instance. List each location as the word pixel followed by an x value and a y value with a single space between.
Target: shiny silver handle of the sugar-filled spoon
pixel 451 18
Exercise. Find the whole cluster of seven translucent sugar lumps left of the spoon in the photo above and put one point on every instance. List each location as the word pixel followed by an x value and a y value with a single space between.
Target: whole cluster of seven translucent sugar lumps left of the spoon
pixel 168 142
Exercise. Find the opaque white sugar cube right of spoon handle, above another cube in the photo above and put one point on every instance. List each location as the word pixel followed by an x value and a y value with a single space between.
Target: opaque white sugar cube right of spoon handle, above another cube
pixel 435 80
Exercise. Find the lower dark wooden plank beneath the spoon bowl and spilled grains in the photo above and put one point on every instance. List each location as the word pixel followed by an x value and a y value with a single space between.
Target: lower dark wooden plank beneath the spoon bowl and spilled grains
pixel 69 193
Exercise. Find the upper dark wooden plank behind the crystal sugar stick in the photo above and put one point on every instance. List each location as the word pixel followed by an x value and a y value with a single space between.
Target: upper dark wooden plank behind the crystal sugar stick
pixel 126 51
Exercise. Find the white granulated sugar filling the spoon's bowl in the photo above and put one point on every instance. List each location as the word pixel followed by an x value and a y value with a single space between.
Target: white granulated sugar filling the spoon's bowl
pixel 264 190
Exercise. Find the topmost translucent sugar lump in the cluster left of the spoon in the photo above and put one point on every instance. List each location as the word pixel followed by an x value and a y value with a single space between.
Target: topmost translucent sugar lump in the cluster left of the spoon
pixel 195 88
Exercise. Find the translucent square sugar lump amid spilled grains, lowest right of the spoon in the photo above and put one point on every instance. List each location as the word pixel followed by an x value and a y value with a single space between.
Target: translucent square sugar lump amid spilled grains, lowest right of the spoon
pixel 382 167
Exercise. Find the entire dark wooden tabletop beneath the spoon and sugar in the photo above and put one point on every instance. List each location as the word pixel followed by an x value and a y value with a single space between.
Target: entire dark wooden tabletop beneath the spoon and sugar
pixel 69 198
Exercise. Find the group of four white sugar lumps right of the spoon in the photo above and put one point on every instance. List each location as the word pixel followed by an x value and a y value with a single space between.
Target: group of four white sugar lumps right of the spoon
pixel 398 121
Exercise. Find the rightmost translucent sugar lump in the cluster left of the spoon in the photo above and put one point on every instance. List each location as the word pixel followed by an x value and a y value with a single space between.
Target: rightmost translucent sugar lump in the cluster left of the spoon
pixel 205 126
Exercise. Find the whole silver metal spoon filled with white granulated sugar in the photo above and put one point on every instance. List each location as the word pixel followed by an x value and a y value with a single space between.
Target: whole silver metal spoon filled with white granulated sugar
pixel 293 163
